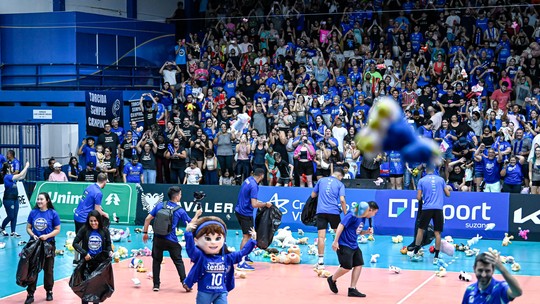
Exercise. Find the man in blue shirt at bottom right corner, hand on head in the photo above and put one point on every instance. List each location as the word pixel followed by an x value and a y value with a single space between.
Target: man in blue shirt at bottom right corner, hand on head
pixel 489 290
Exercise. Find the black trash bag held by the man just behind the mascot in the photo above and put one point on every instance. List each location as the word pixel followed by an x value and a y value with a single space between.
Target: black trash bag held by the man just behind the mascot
pixel 266 223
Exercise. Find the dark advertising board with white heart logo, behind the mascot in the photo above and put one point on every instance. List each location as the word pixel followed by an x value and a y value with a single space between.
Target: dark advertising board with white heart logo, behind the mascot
pixel 220 201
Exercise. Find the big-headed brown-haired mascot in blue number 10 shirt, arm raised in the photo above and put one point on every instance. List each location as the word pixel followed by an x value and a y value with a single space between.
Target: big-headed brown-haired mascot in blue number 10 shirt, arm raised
pixel 213 265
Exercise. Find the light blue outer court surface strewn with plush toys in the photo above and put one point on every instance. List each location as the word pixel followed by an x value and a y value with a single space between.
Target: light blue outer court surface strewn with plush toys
pixel 527 254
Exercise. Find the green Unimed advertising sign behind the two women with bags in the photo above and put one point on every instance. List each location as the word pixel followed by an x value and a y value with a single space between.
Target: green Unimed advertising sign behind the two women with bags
pixel 117 198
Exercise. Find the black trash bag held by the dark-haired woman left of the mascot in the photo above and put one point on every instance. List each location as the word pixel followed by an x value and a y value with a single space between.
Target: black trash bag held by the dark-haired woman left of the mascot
pixel 93 281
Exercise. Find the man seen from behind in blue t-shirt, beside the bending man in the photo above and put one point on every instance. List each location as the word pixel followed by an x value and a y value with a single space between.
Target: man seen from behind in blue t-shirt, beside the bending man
pixel 331 202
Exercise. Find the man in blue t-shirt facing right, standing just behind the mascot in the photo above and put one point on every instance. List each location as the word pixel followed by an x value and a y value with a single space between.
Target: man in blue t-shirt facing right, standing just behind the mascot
pixel 247 201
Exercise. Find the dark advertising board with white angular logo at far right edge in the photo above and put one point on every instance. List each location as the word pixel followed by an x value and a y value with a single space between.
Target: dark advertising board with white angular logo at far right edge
pixel 525 214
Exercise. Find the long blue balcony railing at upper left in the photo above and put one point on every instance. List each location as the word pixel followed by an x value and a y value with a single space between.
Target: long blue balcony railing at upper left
pixel 78 77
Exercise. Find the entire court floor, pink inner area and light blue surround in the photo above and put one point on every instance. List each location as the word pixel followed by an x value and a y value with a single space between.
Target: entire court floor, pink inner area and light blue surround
pixel 272 283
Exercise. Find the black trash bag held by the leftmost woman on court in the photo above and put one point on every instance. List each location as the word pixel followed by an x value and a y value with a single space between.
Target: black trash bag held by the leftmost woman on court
pixel 30 263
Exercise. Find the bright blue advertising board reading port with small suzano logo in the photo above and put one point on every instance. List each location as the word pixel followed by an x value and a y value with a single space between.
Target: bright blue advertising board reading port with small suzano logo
pixel 466 213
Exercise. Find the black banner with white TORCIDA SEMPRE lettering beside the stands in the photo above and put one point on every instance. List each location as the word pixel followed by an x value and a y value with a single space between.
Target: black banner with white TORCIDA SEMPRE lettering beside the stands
pixel 102 107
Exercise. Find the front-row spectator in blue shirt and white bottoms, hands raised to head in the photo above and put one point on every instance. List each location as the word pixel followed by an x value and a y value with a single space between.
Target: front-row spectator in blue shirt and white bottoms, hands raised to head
pixel 491 166
